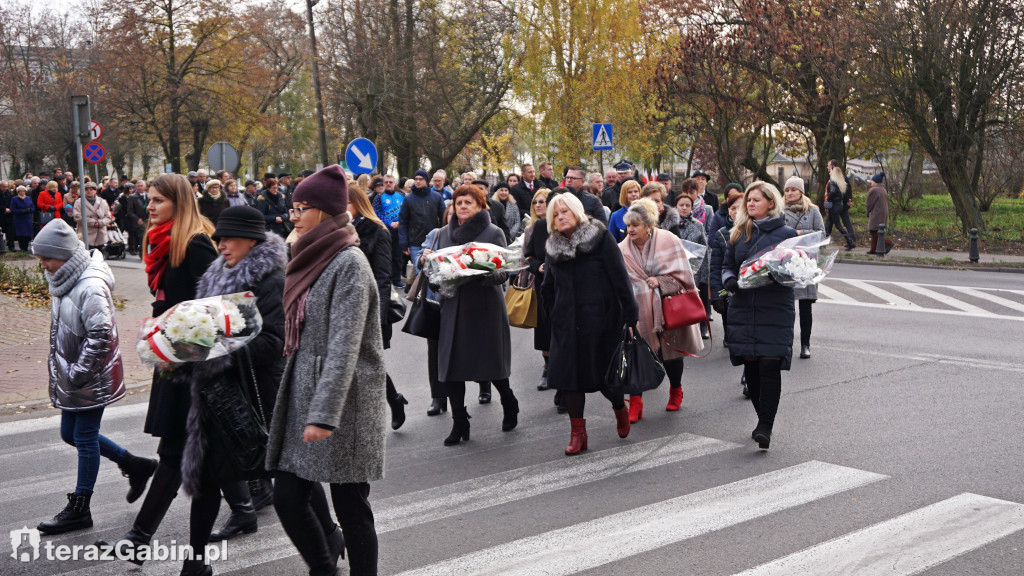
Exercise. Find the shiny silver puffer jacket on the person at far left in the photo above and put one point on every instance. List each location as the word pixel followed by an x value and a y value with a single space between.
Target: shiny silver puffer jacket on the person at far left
pixel 84 362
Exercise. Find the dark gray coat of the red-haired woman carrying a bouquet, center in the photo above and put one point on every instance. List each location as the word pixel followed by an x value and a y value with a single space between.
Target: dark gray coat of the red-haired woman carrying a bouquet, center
pixel 476 343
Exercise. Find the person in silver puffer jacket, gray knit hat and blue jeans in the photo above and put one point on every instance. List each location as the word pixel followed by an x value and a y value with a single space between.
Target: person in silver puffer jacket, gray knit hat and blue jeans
pixel 86 369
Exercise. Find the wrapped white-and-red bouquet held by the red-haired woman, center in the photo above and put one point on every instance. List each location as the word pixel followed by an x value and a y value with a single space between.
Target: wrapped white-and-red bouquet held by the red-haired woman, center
pixel 450 268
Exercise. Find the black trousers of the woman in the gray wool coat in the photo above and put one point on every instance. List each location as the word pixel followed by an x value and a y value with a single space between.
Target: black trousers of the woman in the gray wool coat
pixel 292 500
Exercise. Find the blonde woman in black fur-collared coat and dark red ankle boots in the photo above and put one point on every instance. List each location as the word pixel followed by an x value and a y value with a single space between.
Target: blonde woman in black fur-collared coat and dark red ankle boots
pixel 588 297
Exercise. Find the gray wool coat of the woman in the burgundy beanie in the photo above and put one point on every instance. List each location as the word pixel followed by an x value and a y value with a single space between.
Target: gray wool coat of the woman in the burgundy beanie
pixel 336 378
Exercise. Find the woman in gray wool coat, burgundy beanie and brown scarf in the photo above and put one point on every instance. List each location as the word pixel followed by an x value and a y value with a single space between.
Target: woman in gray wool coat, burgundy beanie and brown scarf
pixel 329 419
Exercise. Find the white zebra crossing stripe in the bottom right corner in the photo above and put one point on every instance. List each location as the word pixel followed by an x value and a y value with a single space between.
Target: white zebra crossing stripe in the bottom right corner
pixel 907 545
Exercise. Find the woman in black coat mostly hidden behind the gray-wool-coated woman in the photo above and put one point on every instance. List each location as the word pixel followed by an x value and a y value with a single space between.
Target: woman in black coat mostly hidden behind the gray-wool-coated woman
pixel 375 241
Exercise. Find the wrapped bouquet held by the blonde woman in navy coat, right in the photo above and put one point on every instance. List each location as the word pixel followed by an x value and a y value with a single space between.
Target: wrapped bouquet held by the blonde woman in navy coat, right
pixel 797 263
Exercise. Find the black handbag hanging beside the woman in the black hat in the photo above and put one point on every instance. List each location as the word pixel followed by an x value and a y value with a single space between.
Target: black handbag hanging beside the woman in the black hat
pixel 237 421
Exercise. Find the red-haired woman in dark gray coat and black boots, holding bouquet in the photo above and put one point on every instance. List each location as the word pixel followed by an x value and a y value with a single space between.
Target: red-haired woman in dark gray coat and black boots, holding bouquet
pixel 476 344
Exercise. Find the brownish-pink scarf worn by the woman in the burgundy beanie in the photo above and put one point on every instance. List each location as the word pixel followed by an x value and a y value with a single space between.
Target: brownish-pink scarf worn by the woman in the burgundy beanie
pixel 311 256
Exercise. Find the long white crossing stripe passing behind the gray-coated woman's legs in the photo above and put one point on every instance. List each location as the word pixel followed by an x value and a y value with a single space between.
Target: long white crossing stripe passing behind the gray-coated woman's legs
pixel 470 496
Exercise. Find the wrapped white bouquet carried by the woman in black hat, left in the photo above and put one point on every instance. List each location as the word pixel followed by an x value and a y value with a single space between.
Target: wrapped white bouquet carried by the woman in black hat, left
pixel 201 330
